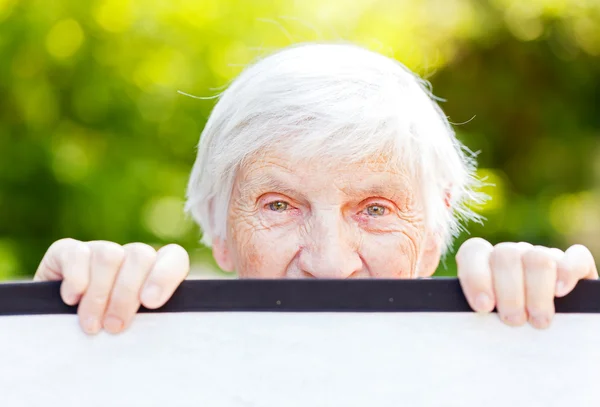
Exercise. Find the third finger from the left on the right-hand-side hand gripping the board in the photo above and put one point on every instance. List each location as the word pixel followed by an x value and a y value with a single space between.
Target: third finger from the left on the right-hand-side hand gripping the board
pixel 540 282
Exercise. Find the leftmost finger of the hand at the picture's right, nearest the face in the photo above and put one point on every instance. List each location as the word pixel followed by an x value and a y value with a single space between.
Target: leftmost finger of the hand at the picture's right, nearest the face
pixel 475 275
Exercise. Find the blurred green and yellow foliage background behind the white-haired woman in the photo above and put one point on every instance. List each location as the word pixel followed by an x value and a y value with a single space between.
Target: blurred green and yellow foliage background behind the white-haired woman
pixel 97 143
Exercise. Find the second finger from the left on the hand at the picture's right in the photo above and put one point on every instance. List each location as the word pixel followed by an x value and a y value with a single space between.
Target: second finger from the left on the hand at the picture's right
pixel 507 275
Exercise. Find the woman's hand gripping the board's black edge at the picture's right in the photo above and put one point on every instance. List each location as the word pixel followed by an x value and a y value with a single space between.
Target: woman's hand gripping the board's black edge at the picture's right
pixel 520 280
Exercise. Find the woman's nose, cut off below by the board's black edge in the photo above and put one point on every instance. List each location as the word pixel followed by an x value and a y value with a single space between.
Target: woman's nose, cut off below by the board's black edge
pixel 330 251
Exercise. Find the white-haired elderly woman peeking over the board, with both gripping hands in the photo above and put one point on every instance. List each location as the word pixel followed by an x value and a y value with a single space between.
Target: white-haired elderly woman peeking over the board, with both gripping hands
pixel 323 161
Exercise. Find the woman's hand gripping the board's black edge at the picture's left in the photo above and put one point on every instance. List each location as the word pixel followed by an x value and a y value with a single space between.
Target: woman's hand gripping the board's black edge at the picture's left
pixel 110 281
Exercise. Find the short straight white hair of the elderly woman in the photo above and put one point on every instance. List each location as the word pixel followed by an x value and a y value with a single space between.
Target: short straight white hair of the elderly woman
pixel 332 101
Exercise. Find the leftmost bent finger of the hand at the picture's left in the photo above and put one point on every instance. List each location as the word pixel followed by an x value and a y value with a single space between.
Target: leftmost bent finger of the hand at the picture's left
pixel 67 260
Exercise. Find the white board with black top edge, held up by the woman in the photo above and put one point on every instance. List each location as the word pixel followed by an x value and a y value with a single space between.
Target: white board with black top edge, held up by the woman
pixel 312 358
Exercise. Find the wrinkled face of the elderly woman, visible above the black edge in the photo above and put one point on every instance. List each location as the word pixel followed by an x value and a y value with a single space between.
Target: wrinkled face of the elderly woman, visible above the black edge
pixel 307 220
